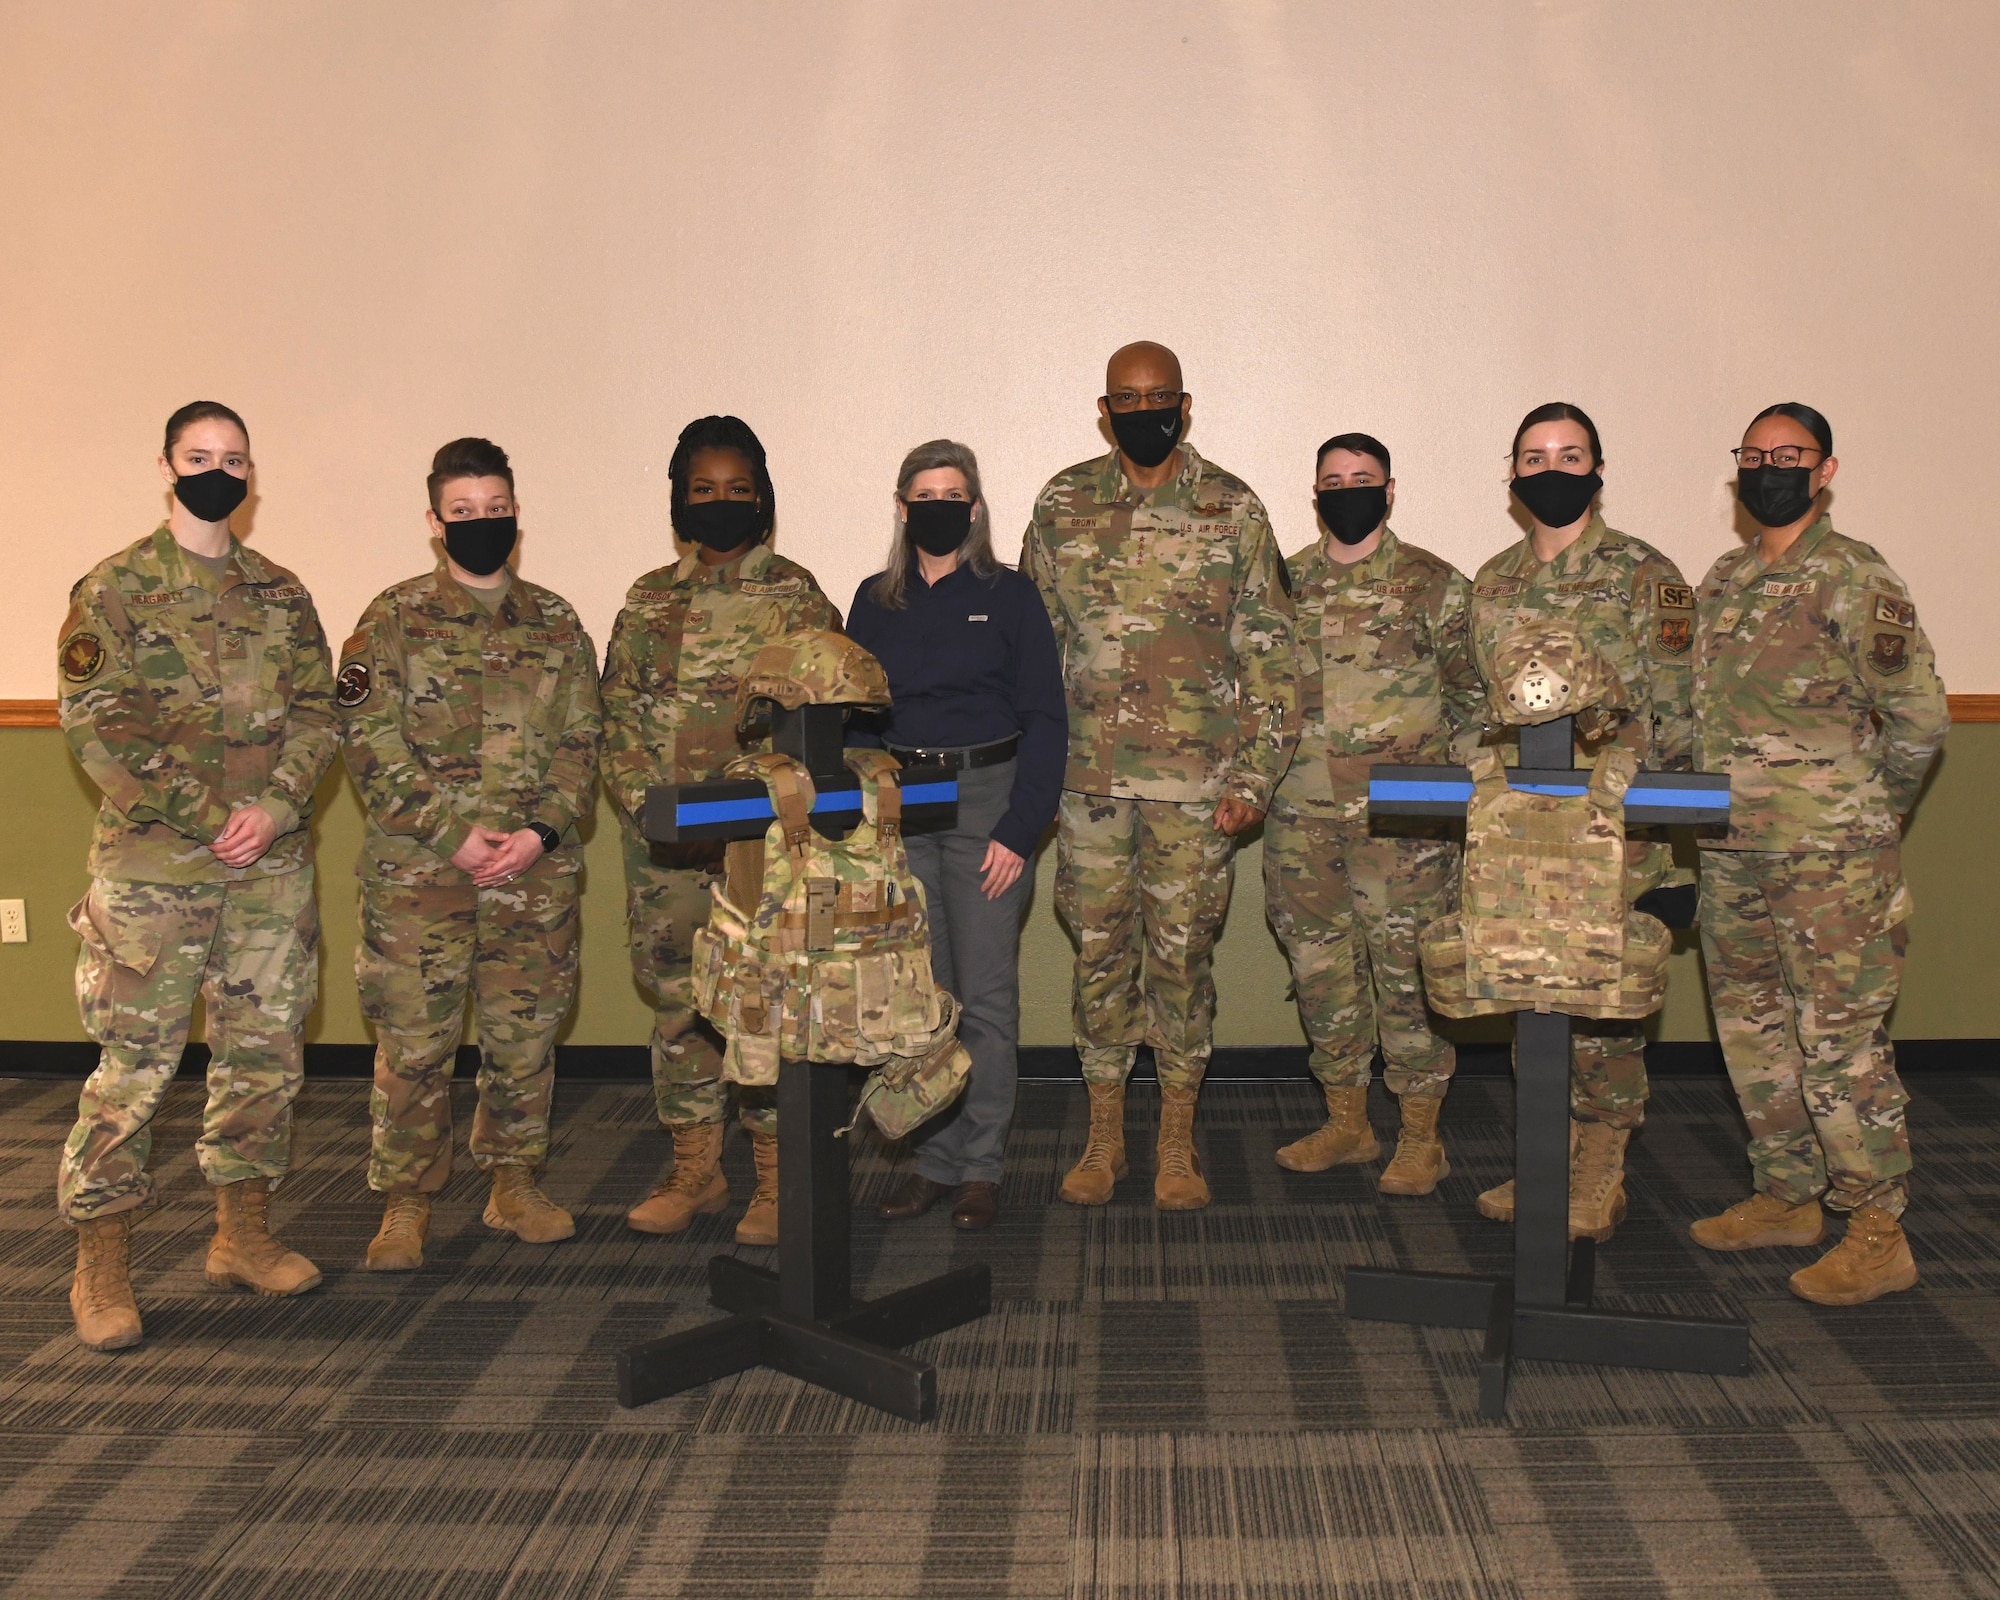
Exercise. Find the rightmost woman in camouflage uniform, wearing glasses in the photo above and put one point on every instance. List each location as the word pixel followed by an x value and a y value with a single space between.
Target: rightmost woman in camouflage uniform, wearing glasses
pixel 1817 691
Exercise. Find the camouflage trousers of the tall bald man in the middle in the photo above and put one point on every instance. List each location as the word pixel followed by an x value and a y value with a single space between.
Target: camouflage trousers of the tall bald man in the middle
pixel 1143 887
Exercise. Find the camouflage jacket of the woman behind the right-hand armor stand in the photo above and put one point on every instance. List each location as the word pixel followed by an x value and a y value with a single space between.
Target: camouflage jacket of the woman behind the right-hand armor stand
pixel 1629 603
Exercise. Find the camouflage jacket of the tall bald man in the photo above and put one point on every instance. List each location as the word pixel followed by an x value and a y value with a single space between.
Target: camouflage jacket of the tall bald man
pixel 1175 627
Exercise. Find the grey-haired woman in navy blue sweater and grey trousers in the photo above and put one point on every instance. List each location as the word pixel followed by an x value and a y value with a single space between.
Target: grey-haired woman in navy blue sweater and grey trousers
pixel 977 685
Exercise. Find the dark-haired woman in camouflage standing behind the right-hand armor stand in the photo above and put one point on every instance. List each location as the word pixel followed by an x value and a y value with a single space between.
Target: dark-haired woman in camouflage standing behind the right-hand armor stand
pixel 1631 607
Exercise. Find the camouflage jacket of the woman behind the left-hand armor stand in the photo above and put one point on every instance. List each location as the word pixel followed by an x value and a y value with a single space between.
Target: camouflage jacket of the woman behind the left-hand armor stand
pixel 679 647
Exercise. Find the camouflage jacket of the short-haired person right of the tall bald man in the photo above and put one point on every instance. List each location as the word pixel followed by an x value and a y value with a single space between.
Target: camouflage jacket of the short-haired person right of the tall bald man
pixel 1385 671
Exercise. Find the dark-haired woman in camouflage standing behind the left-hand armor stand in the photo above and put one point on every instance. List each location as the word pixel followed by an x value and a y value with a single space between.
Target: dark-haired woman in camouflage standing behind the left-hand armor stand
pixel 677 657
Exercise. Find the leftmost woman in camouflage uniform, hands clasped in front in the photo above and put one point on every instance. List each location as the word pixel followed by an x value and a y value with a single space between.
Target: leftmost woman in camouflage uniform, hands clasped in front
pixel 195 695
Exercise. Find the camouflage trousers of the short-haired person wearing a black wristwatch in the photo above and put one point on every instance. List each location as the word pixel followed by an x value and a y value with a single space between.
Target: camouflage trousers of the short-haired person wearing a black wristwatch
pixel 421 951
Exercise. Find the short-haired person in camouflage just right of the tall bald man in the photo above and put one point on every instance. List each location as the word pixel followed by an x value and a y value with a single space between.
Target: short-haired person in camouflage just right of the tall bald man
pixel 1385 675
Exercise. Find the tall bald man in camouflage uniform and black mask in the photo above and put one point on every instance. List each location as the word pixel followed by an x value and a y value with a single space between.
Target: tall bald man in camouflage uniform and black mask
pixel 1175 625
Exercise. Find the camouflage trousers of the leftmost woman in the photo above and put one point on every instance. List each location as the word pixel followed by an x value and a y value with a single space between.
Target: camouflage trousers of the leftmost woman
pixel 251 949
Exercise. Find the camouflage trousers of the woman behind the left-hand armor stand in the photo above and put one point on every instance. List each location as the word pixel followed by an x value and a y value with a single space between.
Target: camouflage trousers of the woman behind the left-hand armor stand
pixel 665 905
